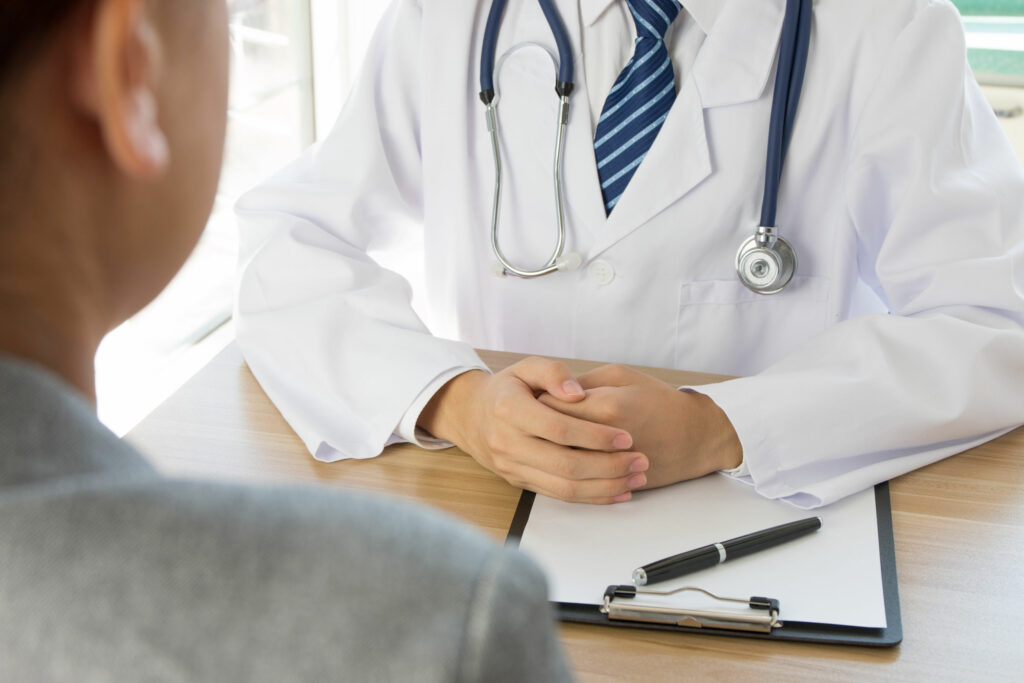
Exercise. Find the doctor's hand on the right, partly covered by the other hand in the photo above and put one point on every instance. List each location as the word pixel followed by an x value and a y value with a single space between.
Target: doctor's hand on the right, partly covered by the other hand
pixel 685 435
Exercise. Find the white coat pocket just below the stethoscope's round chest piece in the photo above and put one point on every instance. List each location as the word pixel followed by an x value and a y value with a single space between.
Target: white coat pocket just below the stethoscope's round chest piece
pixel 723 327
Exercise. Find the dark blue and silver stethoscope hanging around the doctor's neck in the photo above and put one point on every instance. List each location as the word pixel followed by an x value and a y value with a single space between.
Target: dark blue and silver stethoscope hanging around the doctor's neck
pixel 765 263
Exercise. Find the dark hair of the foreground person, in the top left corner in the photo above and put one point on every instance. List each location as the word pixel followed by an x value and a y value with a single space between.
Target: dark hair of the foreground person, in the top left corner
pixel 25 26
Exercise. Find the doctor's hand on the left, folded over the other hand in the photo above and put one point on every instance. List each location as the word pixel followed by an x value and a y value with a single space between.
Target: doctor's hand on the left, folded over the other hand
pixel 499 421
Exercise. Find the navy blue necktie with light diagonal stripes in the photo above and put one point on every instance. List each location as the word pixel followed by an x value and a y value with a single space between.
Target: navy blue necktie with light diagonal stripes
pixel 638 103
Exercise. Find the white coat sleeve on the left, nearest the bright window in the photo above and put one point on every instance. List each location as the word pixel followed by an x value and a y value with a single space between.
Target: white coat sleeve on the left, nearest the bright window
pixel 330 335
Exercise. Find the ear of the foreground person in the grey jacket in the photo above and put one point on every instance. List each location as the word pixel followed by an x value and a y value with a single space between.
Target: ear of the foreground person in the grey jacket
pixel 116 77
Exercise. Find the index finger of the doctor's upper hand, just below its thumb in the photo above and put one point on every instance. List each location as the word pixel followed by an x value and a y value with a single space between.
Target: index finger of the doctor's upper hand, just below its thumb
pixel 536 419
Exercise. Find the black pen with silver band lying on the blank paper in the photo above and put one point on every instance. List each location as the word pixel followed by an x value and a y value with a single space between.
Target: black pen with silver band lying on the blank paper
pixel 709 557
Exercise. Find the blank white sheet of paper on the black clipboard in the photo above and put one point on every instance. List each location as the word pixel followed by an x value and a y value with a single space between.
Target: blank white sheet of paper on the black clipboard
pixel 833 576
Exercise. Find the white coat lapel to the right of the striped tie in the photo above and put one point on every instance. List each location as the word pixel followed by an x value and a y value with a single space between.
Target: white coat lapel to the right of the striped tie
pixel 734 67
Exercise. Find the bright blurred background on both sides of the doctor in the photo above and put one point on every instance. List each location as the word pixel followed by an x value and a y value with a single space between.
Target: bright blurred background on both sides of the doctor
pixel 293 63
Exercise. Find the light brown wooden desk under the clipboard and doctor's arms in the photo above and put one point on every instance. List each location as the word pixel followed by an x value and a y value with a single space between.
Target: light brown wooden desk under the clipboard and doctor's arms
pixel 959 527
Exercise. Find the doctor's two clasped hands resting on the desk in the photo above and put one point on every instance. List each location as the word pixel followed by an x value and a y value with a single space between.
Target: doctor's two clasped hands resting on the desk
pixel 593 440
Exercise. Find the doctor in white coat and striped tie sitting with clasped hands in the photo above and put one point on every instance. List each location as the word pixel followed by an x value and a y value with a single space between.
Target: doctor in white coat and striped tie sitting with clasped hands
pixel 899 340
